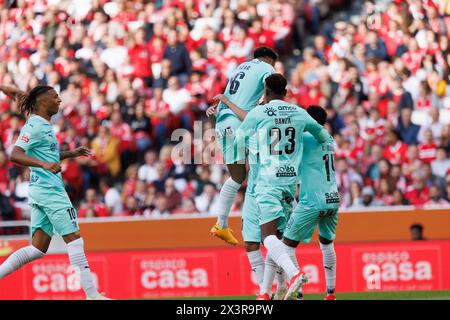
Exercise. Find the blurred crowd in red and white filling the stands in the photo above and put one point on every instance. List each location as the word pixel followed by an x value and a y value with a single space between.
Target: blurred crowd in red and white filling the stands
pixel 131 72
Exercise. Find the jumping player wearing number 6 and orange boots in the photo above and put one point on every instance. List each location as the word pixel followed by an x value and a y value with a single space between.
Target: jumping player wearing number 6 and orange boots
pixel 244 88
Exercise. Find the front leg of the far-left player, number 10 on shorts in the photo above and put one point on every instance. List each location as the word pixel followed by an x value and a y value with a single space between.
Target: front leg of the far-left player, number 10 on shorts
pixel 64 220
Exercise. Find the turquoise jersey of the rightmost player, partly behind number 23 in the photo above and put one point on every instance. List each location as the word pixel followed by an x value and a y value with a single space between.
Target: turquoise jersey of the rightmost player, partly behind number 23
pixel 318 187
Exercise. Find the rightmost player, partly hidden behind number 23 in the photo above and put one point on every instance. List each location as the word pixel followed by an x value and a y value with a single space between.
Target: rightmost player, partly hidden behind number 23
pixel 318 202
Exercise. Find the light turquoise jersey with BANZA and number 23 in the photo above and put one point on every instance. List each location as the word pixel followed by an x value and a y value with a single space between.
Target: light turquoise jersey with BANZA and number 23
pixel 278 127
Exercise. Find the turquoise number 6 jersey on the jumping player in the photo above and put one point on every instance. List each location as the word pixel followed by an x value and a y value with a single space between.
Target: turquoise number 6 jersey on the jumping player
pixel 246 85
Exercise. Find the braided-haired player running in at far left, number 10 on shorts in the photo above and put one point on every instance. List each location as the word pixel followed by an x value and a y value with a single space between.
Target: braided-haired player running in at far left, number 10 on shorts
pixel 50 205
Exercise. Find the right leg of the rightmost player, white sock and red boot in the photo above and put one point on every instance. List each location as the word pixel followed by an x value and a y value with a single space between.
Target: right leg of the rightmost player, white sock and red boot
pixel 327 233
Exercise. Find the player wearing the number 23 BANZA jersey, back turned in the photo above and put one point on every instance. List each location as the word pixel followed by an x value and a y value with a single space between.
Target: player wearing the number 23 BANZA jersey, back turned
pixel 276 128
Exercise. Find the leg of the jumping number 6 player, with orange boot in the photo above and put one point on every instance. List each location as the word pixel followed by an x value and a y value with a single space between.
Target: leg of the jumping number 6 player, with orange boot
pixel 225 132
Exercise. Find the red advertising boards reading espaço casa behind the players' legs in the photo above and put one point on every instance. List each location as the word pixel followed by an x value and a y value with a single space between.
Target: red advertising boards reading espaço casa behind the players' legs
pixel 226 271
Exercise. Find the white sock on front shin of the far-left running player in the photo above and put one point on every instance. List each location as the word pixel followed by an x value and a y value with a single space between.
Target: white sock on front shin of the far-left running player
pixel 78 259
